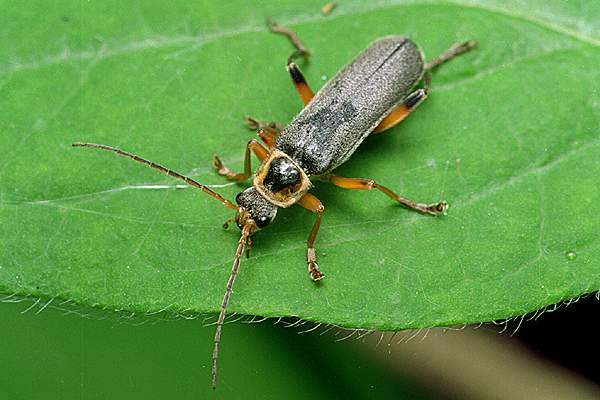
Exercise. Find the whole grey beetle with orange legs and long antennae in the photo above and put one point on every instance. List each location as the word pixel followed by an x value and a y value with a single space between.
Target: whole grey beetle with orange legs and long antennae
pixel 371 94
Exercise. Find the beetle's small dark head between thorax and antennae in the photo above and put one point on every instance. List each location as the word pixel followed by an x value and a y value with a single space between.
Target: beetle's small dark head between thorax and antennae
pixel 254 206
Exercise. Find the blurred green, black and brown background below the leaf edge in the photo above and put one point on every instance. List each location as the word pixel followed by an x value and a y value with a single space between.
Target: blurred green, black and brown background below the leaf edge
pixel 53 351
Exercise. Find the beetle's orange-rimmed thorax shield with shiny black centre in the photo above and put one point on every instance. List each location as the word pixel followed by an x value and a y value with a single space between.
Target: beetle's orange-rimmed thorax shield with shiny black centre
pixel 280 180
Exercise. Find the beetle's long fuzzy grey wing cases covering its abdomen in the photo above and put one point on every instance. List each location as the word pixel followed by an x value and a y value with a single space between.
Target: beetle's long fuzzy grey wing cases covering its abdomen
pixel 330 128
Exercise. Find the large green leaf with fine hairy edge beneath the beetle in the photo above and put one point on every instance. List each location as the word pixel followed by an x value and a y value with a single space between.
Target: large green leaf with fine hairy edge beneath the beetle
pixel 509 136
